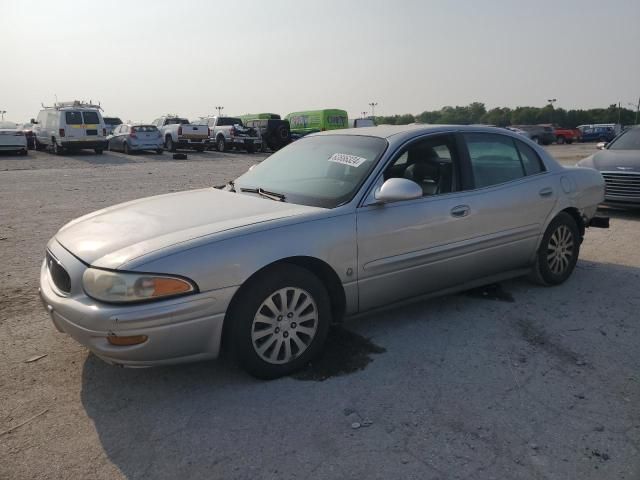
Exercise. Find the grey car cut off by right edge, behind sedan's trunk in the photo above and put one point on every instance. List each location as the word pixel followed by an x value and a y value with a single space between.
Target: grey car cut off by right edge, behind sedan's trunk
pixel 619 164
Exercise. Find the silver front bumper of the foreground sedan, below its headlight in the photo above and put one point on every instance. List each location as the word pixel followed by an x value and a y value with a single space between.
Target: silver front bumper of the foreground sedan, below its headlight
pixel 179 330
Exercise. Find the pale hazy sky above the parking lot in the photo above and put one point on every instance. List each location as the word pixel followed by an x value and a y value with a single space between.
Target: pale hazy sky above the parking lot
pixel 143 59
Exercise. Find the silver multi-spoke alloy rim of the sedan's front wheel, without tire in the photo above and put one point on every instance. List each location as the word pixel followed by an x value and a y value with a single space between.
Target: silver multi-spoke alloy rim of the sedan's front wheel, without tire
pixel 284 325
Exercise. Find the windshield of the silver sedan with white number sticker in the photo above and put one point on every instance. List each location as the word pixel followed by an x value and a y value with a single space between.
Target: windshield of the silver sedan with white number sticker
pixel 323 171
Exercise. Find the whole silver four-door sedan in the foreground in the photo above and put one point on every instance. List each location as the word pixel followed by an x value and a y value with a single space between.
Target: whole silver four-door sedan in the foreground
pixel 335 224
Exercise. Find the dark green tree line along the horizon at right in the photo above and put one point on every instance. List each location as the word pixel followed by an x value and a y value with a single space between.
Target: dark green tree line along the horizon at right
pixel 476 112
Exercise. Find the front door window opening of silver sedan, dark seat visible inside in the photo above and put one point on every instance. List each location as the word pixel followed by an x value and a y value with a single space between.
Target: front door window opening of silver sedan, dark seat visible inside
pixel 432 163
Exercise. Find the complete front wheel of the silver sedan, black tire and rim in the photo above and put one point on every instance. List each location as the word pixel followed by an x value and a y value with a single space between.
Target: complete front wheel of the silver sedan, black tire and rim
pixel 277 329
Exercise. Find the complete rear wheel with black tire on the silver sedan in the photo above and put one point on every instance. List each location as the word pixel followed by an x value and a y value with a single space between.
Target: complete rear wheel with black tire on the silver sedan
pixel 558 252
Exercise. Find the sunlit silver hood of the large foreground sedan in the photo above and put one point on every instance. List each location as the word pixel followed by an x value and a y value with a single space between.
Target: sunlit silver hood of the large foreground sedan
pixel 111 237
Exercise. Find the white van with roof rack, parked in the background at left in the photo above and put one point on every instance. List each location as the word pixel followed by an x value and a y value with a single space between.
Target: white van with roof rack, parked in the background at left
pixel 70 126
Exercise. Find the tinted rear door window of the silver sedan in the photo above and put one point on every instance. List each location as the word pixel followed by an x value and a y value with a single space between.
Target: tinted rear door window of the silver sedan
pixel 494 159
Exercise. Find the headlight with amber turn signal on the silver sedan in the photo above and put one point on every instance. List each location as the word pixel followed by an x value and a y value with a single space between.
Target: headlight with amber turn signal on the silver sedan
pixel 118 287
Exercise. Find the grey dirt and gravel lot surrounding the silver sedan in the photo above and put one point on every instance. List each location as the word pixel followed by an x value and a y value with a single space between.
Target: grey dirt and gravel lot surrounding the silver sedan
pixel 511 382
